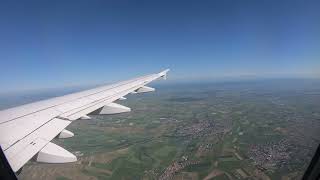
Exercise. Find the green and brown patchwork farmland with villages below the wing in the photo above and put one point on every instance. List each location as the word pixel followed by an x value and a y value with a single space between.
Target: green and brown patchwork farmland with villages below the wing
pixel 266 129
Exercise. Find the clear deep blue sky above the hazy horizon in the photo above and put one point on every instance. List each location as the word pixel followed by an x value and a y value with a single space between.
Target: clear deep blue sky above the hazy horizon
pixel 73 42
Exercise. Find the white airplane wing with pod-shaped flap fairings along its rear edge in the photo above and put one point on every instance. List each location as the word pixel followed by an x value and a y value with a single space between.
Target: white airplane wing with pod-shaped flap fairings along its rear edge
pixel 26 131
